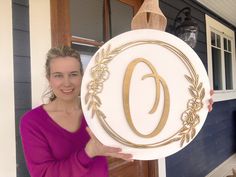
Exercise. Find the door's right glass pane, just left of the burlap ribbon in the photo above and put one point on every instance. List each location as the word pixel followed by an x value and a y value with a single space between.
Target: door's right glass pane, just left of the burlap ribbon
pixel 121 17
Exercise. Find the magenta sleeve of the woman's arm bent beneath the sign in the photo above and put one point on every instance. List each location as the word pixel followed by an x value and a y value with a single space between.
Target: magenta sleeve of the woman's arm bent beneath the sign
pixel 41 162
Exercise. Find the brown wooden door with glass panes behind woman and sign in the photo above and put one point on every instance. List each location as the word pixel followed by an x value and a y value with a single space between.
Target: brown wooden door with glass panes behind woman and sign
pixel 86 25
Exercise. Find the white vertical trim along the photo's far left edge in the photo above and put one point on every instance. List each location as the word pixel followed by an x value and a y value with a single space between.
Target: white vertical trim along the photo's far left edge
pixel 7 109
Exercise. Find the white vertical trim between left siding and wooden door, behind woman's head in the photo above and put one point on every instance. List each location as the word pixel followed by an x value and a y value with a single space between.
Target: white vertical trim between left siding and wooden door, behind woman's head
pixel 40 43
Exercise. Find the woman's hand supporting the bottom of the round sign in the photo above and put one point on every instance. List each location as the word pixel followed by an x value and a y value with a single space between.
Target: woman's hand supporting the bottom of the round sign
pixel 95 148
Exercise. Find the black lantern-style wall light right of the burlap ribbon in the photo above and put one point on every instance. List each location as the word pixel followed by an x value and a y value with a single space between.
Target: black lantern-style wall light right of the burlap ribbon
pixel 185 28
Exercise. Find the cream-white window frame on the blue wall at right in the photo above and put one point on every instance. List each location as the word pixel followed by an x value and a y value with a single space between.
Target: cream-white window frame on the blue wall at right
pixel 214 26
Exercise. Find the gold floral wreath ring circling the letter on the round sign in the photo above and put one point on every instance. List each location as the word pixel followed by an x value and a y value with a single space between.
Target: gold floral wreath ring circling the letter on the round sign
pixel 100 73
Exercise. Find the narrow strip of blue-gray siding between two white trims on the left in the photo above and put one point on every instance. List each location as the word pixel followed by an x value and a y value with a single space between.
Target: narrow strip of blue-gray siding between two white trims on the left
pixel 22 83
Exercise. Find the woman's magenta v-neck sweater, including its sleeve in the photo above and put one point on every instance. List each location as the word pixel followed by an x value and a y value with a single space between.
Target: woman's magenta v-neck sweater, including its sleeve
pixel 52 151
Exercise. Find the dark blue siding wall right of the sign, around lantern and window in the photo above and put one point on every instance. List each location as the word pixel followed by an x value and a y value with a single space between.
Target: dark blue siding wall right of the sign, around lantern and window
pixel 216 141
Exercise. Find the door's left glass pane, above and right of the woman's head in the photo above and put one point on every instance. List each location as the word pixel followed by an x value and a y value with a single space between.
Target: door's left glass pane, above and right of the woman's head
pixel 86 19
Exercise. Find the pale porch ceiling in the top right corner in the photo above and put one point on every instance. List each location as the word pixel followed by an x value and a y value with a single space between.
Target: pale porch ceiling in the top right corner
pixel 224 8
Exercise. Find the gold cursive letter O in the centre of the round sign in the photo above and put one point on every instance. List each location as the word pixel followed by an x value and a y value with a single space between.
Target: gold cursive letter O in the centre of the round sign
pixel 158 81
